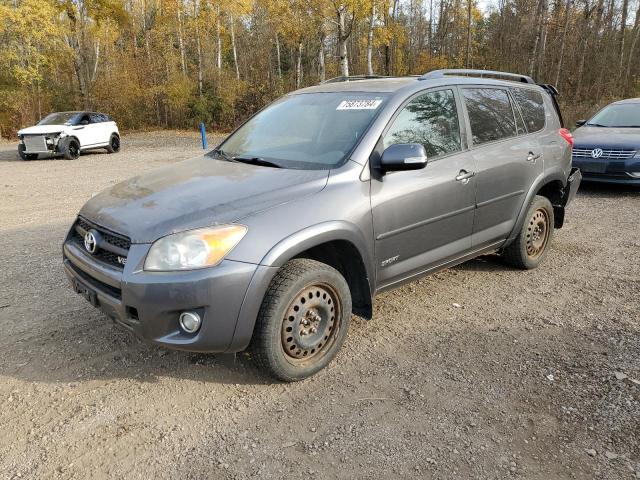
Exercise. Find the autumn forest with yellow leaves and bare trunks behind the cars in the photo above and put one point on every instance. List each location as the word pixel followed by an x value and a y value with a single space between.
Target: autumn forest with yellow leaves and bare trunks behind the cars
pixel 175 63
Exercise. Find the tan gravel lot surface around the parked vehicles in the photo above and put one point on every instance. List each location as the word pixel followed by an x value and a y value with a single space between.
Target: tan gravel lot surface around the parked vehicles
pixel 479 371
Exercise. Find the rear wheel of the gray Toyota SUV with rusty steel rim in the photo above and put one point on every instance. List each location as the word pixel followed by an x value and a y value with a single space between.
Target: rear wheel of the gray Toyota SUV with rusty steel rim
pixel 531 246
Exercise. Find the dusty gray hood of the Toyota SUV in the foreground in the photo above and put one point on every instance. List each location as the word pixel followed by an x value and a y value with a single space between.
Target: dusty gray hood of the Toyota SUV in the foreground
pixel 196 193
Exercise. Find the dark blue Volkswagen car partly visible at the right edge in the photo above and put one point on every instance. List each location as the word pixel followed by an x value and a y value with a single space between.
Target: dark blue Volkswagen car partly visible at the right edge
pixel 607 147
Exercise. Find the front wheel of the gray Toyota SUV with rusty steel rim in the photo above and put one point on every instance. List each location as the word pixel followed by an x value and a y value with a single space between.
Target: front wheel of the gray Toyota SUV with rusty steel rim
pixel 303 320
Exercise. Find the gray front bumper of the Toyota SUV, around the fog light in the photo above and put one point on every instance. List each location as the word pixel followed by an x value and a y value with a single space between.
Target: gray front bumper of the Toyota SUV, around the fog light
pixel 227 297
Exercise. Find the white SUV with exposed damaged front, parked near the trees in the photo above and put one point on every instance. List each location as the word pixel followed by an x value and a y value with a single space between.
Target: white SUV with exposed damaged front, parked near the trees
pixel 69 133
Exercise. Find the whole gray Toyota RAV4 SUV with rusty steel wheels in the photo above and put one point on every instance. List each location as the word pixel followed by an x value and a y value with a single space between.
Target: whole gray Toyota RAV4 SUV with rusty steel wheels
pixel 328 196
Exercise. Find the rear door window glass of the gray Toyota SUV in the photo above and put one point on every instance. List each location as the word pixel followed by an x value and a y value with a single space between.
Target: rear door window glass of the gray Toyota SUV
pixel 490 114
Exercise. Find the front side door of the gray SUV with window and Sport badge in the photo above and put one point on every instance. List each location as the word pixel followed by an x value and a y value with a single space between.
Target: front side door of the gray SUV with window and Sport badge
pixel 421 218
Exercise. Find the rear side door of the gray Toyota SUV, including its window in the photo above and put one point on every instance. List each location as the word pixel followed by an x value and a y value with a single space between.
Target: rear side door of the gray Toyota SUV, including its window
pixel 508 161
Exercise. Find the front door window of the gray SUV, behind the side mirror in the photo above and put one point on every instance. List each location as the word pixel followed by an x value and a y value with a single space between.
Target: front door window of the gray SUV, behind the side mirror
pixel 431 120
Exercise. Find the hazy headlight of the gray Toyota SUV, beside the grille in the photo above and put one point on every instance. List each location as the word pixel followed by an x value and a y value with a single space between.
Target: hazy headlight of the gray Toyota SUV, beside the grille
pixel 204 247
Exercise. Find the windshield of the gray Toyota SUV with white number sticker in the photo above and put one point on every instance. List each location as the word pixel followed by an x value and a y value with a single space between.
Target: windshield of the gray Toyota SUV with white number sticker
pixel 306 131
